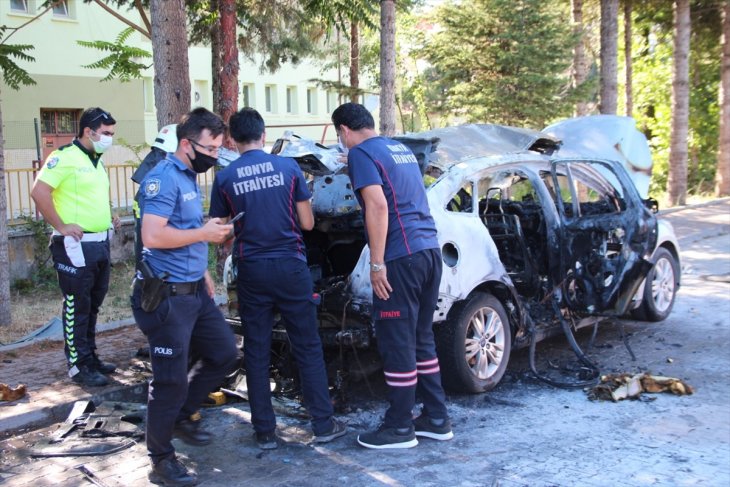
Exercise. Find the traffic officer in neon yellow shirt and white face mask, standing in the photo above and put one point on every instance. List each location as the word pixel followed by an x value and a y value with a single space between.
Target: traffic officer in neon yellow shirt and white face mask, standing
pixel 72 193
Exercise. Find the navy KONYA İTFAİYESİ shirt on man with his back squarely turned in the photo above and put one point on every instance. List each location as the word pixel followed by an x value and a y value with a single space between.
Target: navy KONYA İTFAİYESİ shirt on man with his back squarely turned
pixel 266 187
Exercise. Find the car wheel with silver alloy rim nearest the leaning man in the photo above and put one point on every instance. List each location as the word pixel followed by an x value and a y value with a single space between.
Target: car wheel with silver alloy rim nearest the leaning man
pixel 474 344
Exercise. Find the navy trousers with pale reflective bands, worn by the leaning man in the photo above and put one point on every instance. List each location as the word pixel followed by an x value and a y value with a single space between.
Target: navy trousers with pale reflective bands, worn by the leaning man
pixel 404 331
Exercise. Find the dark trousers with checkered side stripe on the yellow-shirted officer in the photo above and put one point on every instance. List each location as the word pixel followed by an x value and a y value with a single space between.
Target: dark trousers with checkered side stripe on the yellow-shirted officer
pixel 83 291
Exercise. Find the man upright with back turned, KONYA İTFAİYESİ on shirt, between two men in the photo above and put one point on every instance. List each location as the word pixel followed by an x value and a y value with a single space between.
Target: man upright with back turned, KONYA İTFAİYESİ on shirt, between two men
pixel 273 273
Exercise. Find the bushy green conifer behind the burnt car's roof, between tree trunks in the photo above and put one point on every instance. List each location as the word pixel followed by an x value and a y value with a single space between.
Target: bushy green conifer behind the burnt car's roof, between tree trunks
pixel 503 61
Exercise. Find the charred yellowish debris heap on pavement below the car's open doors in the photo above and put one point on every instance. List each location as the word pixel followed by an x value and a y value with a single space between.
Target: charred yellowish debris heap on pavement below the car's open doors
pixel 615 387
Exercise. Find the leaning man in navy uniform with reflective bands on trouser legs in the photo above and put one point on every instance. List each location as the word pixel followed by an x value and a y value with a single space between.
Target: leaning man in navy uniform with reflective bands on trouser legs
pixel 405 272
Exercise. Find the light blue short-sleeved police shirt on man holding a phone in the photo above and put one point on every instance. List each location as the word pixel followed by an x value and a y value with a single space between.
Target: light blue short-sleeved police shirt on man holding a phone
pixel 171 191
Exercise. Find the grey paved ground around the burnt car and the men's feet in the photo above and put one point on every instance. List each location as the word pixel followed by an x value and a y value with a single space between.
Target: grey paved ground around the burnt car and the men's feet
pixel 524 433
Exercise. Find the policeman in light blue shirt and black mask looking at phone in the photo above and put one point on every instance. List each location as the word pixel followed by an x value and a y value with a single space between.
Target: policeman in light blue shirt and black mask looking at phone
pixel 185 320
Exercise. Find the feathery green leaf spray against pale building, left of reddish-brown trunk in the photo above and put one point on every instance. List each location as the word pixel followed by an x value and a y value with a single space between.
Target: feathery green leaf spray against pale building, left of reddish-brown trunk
pixel 122 59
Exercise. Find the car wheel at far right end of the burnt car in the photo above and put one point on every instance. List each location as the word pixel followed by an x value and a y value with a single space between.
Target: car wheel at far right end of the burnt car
pixel 660 290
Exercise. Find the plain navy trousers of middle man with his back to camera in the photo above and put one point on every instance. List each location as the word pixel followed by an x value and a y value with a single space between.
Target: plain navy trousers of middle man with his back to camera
pixel 284 284
